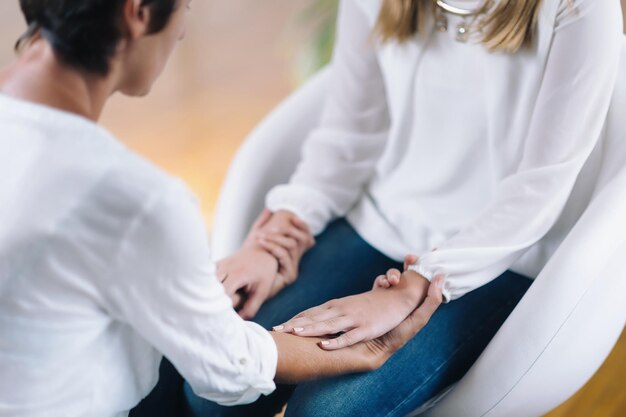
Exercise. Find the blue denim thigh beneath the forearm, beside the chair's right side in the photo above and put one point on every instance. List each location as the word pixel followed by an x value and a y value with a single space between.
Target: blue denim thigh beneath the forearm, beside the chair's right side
pixel 437 357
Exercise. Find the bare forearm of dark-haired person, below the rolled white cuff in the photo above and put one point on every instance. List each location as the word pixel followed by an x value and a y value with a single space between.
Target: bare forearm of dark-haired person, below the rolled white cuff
pixel 301 359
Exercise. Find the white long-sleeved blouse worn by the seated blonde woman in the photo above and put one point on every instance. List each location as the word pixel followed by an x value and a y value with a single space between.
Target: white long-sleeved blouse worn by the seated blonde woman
pixel 440 144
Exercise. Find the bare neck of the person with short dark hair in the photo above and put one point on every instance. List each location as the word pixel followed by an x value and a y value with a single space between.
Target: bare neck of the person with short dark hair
pixel 38 76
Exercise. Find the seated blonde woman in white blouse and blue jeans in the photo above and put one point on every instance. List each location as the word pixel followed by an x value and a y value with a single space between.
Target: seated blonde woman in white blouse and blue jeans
pixel 452 130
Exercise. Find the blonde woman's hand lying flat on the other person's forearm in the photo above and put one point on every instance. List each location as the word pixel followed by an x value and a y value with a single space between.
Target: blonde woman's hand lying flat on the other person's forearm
pixel 360 317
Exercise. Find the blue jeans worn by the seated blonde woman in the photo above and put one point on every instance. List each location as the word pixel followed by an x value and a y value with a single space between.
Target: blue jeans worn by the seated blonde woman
pixel 343 264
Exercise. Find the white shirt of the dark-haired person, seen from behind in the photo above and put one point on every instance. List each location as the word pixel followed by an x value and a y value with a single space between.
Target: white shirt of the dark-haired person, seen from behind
pixel 104 268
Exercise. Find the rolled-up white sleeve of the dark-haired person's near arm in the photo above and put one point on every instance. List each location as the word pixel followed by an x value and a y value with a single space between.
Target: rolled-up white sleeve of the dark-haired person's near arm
pixel 164 287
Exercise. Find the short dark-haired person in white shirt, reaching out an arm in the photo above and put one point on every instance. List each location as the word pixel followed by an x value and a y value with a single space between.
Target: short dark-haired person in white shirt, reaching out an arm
pixel 104 263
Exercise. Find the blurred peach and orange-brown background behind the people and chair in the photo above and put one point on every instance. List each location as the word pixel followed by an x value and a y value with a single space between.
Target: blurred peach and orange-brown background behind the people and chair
pixel 240 58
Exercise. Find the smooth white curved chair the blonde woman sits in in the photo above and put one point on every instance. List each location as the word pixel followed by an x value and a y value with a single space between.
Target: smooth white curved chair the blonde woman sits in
pixel 562 329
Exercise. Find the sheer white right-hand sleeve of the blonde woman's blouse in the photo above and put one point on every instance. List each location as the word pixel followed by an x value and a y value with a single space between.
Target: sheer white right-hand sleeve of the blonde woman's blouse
pixel 570 111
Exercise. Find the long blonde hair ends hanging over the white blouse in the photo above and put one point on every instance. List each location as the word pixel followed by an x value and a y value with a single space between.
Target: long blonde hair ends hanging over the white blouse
pixel 508 26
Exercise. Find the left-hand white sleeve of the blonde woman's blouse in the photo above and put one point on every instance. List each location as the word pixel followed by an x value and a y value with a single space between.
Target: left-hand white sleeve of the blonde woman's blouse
pixel 340 155
